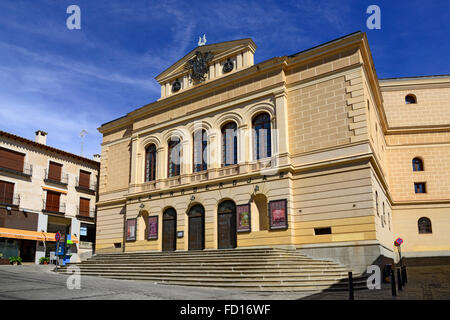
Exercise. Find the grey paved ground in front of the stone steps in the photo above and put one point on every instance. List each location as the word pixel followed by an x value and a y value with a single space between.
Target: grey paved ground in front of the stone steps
pixel 38 282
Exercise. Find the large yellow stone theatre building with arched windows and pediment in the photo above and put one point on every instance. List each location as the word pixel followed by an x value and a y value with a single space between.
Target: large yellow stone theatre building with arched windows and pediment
pixel 309 151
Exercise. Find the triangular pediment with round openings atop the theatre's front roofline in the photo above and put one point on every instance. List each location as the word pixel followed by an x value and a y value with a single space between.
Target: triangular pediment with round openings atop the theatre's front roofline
pixel 240 52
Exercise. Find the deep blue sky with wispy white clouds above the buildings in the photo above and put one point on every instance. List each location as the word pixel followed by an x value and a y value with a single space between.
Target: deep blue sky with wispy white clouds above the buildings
pixel 63 81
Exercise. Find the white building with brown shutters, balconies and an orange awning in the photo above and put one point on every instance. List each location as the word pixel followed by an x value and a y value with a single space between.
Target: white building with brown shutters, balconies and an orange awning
pixel 44 190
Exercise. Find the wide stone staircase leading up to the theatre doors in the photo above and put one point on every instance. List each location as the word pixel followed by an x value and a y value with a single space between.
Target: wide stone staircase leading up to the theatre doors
pixel 265 269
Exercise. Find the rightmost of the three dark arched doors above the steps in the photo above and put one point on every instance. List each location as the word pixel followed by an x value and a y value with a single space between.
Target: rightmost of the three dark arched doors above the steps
pixel 226 225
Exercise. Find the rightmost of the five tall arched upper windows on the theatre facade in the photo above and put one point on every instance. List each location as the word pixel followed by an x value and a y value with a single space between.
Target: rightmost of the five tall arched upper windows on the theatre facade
pixel 261 136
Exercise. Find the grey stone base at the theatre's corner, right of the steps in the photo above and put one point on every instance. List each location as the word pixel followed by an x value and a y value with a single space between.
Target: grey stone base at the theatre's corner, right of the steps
pixel 356 256
